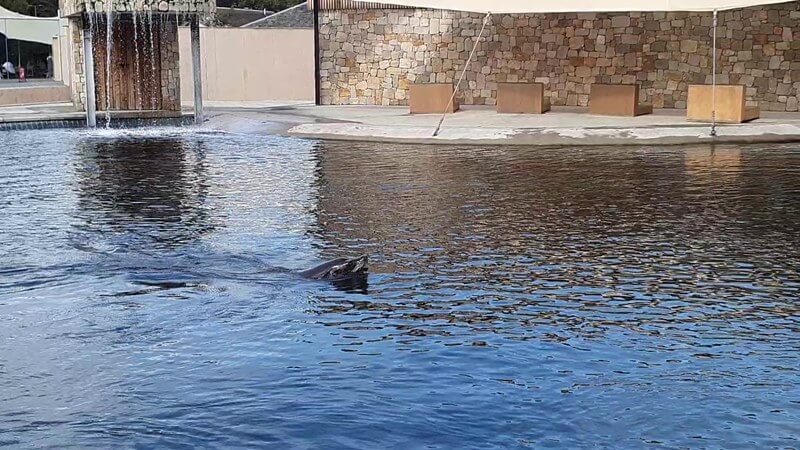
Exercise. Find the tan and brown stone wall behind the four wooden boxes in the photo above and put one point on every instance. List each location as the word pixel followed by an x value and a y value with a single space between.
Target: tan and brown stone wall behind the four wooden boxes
pixel 370 57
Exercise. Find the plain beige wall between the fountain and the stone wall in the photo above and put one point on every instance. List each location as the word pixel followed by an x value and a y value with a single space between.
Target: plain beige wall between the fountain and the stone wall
pixel 243 65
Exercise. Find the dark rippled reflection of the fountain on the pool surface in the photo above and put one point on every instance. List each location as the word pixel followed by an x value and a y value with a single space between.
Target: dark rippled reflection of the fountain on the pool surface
pixel 151 191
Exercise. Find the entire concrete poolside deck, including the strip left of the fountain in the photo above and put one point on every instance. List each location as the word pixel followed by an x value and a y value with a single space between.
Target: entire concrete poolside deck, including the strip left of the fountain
pixel 472 125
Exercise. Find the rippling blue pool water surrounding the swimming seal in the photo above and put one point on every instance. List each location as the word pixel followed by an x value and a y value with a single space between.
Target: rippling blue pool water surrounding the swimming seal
pixel 519 297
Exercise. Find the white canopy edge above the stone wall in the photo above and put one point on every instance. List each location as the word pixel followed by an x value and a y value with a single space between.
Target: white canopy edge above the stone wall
pixel 565 6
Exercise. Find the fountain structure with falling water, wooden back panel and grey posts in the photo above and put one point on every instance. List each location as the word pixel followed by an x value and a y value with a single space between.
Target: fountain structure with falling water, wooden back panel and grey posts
pixel 125 56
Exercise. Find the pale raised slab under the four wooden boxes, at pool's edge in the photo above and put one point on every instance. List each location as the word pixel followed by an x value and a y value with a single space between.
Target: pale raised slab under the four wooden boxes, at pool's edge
pixel 561 126
